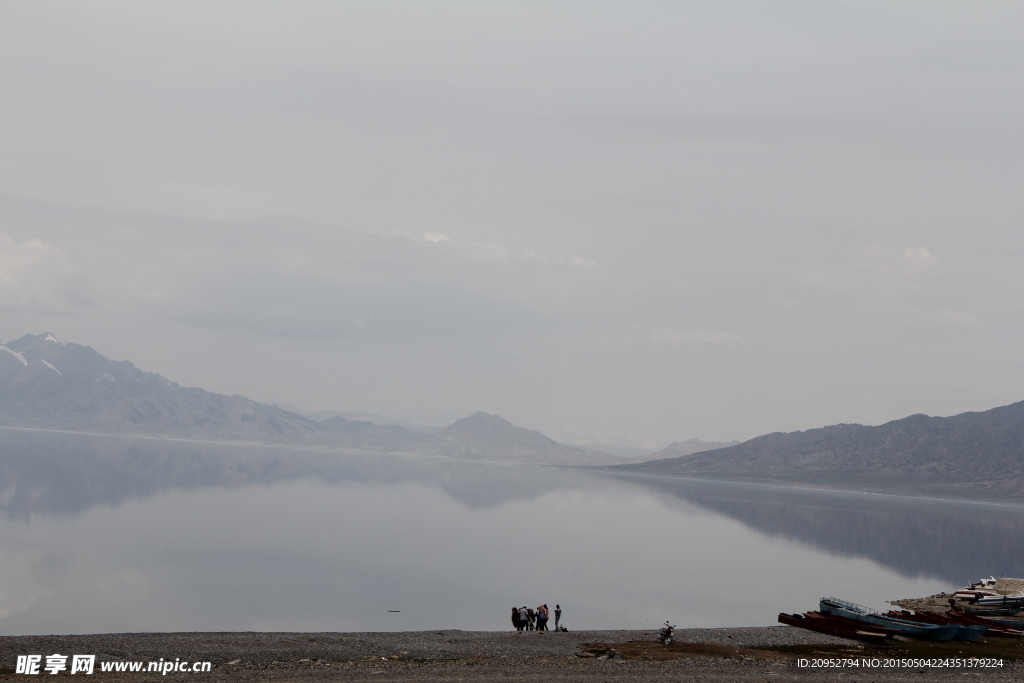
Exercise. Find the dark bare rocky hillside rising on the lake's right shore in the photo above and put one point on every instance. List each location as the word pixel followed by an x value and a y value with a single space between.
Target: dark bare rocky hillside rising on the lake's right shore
pixel 972 451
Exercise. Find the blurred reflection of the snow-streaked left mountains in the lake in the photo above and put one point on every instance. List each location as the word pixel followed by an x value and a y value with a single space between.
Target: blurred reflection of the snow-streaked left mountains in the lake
pixel 61 474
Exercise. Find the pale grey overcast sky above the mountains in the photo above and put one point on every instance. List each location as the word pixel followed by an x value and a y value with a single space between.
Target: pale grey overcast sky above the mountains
pixel 627 223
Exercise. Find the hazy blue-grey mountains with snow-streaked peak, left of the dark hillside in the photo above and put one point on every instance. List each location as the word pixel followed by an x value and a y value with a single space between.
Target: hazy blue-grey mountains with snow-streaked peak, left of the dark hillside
pixel 48 383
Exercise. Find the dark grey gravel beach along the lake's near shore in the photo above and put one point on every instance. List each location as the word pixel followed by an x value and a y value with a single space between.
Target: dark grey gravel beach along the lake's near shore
pixel 713 655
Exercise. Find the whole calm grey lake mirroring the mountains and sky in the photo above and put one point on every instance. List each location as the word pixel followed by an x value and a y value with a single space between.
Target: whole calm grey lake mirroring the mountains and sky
pixel 122 535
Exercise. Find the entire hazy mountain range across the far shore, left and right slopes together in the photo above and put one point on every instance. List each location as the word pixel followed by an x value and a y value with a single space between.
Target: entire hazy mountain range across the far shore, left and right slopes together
pixel 48 383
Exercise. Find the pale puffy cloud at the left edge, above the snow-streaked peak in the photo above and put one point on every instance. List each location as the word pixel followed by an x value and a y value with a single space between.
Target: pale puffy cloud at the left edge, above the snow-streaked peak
pixel 35 276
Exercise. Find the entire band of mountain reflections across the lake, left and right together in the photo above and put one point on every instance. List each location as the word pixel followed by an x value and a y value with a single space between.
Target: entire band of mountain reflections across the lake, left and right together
pixel 61 475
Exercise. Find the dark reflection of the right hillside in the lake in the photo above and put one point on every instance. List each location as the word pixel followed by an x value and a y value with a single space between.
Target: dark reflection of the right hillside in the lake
pixel 918 537
